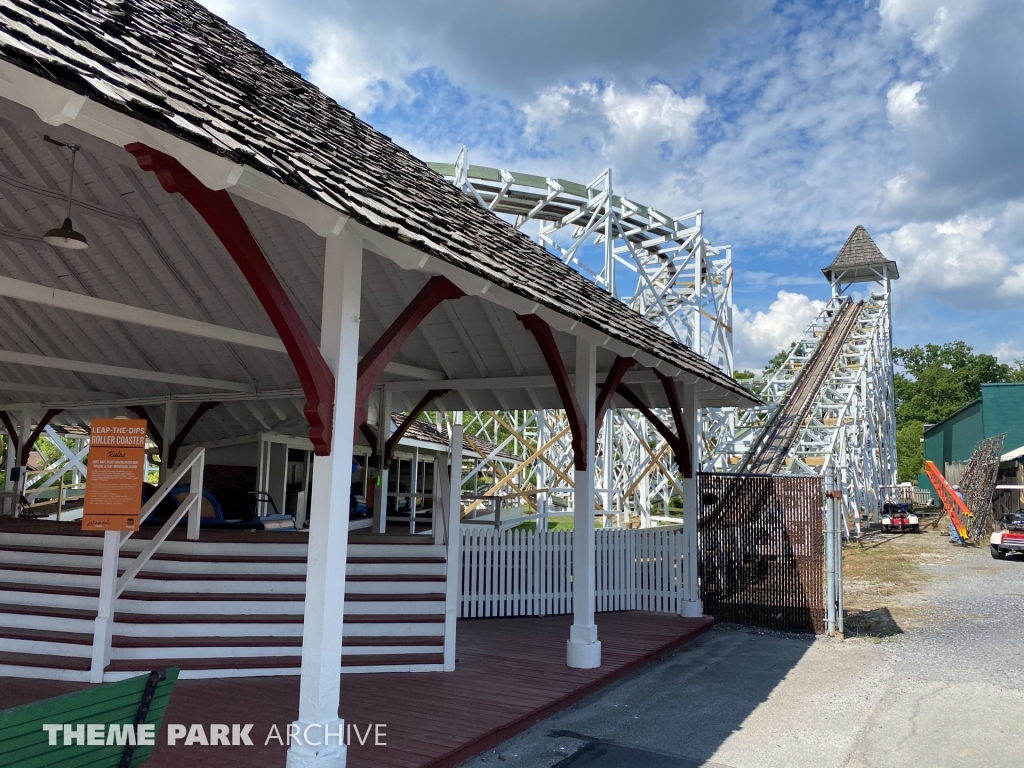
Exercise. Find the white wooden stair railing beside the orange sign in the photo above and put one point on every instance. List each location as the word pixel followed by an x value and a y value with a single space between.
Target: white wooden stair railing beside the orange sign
pixel 111 586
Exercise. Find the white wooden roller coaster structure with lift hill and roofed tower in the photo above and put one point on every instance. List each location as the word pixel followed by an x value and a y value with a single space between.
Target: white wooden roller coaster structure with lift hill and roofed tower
pixel 668 271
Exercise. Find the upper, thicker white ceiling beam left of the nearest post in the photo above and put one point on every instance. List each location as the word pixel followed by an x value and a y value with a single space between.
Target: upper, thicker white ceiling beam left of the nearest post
pixel 75 303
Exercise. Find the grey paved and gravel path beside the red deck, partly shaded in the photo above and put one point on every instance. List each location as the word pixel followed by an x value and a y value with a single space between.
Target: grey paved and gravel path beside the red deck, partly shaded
pixel 946 692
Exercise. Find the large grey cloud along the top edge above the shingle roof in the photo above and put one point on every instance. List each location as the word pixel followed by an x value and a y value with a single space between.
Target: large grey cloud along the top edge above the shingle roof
pixel 515 53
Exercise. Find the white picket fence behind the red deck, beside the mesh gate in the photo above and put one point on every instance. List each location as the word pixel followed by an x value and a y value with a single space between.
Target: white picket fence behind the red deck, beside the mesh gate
pixel 530 574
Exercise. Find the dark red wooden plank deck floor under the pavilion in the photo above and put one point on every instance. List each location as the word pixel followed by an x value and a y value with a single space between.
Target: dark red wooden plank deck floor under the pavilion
pixel 510 674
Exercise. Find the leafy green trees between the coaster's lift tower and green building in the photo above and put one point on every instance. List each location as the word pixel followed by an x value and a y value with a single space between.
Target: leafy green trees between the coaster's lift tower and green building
pixel 942 379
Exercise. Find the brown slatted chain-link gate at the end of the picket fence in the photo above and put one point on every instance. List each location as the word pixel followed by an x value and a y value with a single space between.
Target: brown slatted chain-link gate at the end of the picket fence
pixel 762 550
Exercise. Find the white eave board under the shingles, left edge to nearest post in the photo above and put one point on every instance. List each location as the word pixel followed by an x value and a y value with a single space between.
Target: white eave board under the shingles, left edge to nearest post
pixel 58 106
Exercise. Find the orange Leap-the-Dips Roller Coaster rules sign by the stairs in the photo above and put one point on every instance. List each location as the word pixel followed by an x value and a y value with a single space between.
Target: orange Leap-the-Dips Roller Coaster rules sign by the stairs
pixel 114 488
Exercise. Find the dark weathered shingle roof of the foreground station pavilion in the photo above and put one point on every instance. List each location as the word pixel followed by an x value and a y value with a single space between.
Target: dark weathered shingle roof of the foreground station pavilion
pixel 174 65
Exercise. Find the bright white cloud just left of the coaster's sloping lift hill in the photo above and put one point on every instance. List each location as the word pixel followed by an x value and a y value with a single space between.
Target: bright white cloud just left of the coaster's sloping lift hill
pixel 759 336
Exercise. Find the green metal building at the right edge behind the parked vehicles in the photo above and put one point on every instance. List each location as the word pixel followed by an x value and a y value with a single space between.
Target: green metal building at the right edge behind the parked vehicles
pixel 1000 410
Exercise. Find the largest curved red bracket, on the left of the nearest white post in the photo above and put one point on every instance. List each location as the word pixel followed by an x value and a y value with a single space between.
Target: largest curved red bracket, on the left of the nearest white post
pixel 220 212
